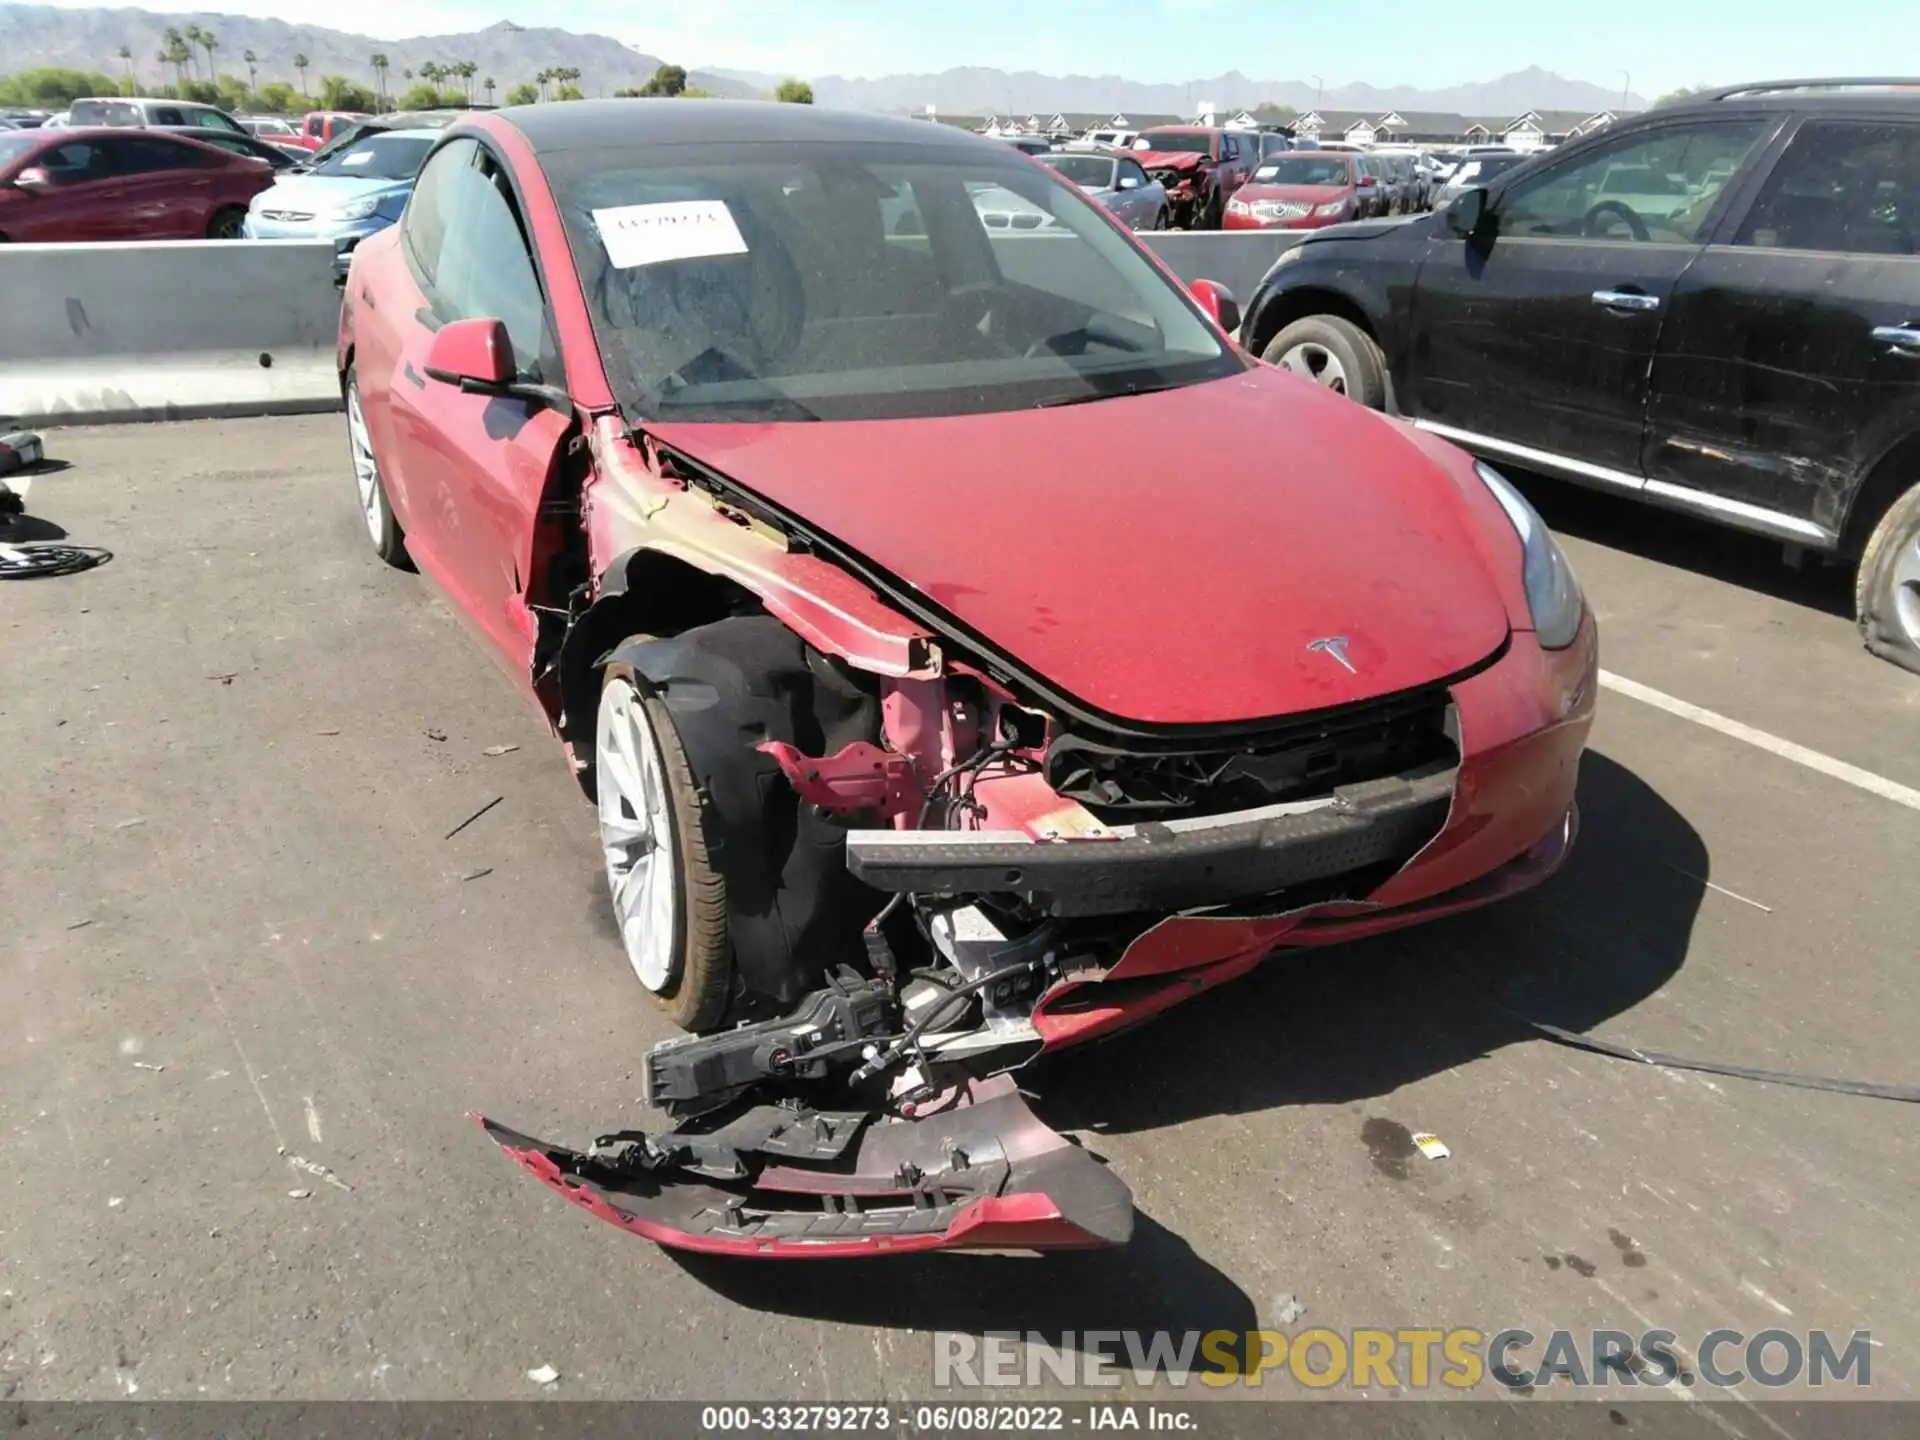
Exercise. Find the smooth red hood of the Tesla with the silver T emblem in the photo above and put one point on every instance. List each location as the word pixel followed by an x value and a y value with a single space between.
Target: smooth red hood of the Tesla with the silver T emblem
pixel 1161 558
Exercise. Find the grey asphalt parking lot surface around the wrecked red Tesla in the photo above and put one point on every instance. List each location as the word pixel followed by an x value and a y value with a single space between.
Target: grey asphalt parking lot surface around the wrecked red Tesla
pixel 252 994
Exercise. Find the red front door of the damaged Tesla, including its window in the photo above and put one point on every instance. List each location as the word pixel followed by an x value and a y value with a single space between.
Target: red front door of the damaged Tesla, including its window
pixel 473 468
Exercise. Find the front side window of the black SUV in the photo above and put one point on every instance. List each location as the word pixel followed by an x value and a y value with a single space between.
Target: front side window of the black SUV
pixel 1643 189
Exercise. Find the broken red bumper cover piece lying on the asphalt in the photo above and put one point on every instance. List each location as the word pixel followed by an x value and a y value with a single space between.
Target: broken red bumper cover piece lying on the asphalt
pixel 974 1174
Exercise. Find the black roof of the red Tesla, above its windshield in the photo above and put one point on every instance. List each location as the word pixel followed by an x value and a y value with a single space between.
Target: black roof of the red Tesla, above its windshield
pixel 590 124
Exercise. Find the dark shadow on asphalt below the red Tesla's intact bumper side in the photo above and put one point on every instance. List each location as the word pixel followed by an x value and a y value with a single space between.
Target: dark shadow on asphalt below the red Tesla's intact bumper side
pixel 1332 1026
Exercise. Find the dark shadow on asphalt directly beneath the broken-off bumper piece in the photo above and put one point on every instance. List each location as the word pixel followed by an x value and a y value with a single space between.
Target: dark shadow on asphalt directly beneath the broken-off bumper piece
pixel 1153 1284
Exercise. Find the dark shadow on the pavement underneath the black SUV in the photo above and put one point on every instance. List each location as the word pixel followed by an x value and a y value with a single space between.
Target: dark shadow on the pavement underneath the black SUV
pixel 1692 544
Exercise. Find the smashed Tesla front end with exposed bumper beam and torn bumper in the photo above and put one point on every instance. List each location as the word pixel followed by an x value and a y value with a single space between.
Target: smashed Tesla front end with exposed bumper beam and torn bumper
pixel 940 871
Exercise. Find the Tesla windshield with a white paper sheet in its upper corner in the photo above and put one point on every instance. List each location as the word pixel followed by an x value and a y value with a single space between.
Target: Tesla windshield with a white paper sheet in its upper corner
pixel 802 281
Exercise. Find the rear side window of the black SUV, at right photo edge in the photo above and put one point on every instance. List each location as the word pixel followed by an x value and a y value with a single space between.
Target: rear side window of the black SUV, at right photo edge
pixel 1846 187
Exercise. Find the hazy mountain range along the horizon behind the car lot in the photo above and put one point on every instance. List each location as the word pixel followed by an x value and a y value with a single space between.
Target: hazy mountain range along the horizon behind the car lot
pixel 91 39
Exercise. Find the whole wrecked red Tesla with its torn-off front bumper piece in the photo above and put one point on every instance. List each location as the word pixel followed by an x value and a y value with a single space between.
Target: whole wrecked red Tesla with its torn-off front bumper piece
pixel 969 650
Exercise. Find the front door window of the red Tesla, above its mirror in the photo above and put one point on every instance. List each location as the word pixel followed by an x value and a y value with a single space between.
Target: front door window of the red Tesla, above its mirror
pixel 485 266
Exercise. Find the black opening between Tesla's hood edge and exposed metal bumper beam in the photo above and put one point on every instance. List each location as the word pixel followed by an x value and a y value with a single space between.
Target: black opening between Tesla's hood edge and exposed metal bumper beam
pixel 1291 761
